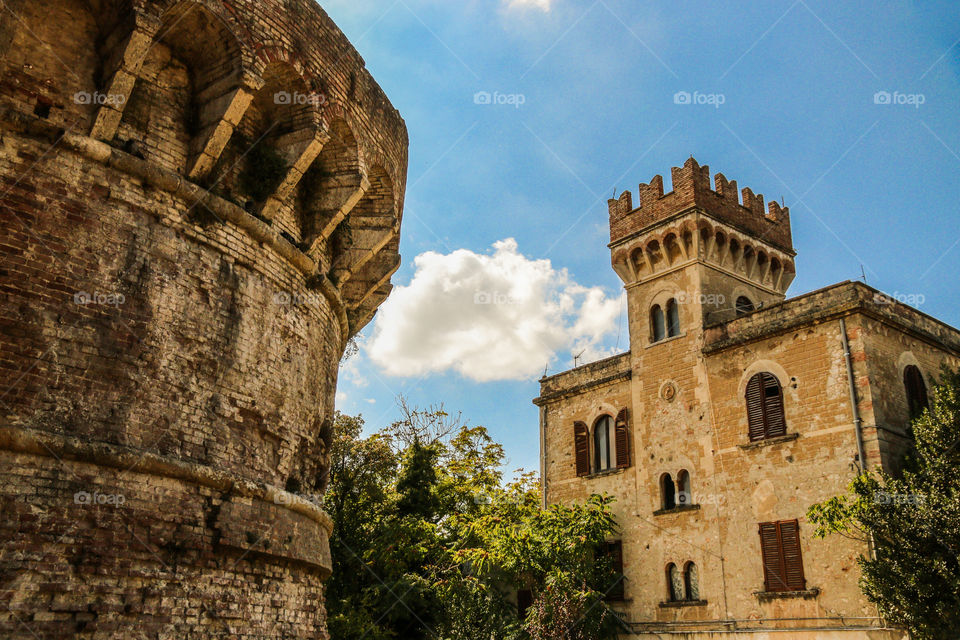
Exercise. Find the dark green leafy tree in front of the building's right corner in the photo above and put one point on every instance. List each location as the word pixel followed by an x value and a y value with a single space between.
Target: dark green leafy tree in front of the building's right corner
pixel 912 521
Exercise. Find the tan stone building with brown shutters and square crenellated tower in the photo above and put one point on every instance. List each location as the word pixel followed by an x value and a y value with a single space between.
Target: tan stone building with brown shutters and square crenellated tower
pixel 734 410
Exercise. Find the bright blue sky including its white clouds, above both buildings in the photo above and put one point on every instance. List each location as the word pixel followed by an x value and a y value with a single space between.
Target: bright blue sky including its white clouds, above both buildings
pixel 506 270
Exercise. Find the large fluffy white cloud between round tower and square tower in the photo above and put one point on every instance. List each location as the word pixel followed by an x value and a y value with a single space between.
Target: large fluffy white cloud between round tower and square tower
pixel 498 316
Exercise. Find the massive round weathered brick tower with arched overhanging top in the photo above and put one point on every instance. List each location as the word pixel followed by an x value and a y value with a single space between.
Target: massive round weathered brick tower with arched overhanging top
pixel 201 203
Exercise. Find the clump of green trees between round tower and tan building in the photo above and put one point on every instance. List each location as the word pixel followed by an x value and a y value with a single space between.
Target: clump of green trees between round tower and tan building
pixel 430 543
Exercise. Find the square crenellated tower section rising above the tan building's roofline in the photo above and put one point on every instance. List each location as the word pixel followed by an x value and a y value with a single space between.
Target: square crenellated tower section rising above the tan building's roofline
pixel 705 249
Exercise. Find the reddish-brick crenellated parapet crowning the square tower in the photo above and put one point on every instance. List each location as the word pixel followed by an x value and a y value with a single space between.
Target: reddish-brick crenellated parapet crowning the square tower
pixel 691 188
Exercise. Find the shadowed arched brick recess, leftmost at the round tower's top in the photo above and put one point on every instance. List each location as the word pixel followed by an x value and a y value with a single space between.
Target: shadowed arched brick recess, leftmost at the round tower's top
pixel 58 83
